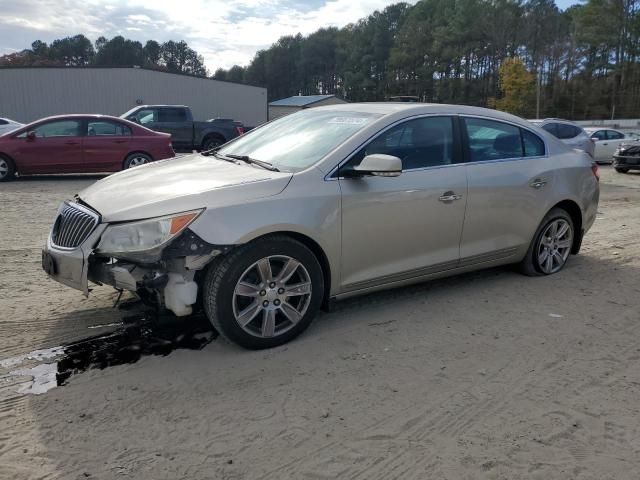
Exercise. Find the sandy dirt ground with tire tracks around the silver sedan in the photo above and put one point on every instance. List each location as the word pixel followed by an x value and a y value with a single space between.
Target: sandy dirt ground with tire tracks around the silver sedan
pixel 489 375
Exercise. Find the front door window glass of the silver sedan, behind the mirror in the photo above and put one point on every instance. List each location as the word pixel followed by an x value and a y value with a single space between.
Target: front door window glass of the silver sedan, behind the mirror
pixel 420 143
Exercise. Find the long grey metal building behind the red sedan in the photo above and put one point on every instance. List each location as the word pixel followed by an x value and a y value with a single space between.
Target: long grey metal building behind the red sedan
pixel 30 93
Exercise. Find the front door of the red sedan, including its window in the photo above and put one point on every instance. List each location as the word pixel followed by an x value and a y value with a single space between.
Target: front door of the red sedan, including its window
pixel 56 147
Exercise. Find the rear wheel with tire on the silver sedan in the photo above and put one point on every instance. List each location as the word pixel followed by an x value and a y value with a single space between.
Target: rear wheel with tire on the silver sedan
pixel 551 245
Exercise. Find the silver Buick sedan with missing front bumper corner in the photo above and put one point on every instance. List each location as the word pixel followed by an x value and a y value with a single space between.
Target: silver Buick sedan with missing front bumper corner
pixel 325 204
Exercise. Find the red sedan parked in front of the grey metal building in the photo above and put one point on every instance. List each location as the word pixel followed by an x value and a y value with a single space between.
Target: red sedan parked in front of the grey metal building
pixel 80 144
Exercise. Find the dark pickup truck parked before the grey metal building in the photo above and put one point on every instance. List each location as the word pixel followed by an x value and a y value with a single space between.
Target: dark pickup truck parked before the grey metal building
pixel 186 134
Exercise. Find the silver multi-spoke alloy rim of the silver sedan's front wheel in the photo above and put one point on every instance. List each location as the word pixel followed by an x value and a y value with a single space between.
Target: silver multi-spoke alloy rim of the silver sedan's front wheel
pixel 272 296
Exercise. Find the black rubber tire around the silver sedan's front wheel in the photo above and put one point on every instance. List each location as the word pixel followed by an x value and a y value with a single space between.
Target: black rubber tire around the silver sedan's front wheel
pixel 222 277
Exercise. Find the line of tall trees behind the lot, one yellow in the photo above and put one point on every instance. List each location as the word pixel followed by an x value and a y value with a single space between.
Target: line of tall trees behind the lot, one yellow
pixel 523 56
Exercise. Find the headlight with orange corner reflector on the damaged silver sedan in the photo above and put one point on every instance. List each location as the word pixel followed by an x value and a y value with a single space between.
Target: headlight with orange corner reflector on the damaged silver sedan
pixel 144 235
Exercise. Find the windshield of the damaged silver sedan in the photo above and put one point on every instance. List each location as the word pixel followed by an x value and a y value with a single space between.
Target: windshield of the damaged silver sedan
pixel 299 140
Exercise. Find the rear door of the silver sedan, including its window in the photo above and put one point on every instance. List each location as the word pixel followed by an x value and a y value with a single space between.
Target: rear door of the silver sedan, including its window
pixel 508 174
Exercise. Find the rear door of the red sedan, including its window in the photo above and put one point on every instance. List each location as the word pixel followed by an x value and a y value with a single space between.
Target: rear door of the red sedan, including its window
pixel 106 145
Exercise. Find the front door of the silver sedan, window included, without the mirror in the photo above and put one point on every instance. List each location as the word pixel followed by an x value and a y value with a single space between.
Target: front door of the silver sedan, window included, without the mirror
pixel 396 228
